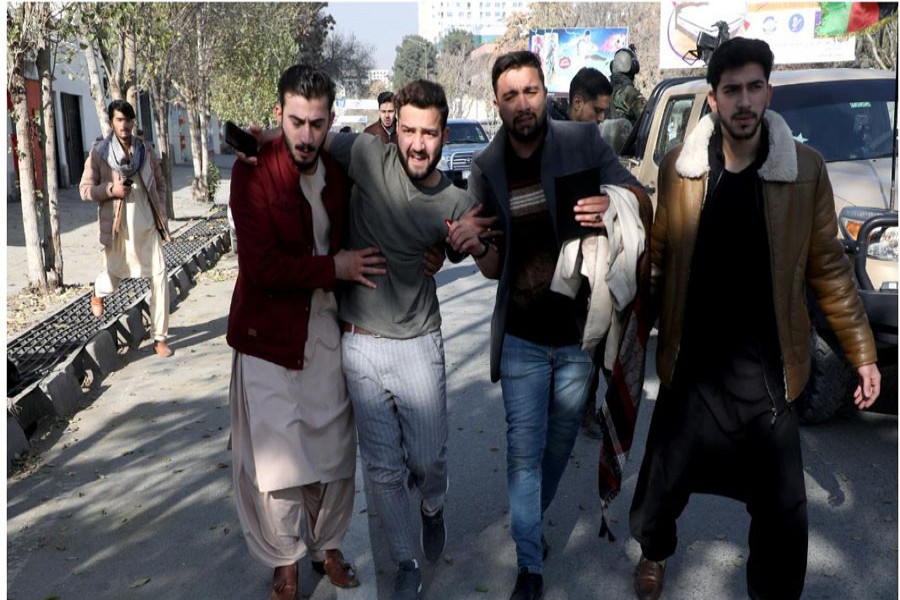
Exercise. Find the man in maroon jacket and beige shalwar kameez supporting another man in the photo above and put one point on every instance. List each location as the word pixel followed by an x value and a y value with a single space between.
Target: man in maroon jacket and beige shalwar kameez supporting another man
pixel 293 433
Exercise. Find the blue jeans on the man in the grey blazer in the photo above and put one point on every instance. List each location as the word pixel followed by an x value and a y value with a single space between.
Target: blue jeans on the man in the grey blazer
pixel 544 391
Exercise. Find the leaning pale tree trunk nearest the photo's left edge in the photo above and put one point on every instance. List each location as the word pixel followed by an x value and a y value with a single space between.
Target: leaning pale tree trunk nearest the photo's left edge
pixel 36 276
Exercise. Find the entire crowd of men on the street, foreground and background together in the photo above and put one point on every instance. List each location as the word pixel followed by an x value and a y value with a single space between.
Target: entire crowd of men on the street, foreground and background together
pixel 336 328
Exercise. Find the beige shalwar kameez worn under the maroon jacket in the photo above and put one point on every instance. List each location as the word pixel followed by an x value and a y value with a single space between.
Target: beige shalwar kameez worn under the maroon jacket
pixel 294 437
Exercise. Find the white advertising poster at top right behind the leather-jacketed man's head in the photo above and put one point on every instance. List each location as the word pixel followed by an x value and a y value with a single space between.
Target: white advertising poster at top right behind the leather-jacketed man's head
pixel 788 27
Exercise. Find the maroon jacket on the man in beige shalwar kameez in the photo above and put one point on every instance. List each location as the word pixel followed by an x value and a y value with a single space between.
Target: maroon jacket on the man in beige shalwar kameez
pixel 277 271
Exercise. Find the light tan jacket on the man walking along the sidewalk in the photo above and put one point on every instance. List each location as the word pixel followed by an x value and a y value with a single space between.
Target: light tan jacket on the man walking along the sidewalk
pixel 97 179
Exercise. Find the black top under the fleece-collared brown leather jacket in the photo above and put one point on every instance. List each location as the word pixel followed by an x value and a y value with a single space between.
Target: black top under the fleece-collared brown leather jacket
pixel 730 319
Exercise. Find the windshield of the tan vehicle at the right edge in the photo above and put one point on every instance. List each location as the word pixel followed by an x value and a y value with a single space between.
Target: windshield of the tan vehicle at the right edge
pixel 843 120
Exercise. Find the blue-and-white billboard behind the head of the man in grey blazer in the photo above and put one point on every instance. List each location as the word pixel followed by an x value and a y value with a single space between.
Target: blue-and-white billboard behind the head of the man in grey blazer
pixel 564 51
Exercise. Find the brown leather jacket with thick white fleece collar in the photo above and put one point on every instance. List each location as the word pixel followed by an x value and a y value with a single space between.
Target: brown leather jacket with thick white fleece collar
pixel 805 251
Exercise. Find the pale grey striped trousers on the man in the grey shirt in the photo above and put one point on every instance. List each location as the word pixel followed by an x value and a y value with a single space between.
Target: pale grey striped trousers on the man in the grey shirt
pixel 399 396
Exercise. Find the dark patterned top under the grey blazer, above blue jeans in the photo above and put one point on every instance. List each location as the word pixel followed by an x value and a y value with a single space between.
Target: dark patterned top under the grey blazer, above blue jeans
pixel 535 313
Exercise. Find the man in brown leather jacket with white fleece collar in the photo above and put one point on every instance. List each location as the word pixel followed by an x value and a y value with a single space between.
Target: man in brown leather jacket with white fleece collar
pixel 744 225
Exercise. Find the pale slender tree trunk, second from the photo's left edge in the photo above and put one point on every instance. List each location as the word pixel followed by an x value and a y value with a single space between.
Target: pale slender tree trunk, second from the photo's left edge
pixel 53 260
